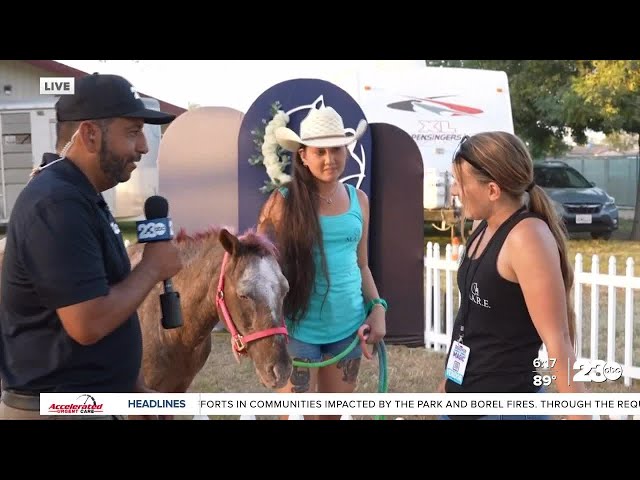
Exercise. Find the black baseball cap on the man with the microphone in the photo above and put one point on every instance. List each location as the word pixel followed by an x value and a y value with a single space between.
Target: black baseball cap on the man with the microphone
pixel 101 96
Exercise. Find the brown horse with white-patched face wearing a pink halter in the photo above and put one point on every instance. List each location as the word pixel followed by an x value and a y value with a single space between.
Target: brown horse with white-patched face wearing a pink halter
pixel 229 278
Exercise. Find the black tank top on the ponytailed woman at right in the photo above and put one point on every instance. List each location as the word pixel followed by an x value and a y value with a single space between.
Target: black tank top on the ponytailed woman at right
pixel 494 320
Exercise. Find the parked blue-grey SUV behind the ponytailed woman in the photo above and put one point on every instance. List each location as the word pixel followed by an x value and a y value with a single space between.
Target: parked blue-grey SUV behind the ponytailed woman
pixel 583 206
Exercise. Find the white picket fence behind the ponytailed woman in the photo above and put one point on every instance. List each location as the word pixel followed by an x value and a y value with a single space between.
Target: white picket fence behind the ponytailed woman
pixel 440 307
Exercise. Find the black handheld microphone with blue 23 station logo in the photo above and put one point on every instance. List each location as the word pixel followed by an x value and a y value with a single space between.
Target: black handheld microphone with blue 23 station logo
pixel 157 228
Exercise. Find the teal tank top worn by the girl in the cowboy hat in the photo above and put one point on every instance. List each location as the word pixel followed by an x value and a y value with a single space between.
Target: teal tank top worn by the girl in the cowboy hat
pixel 336 310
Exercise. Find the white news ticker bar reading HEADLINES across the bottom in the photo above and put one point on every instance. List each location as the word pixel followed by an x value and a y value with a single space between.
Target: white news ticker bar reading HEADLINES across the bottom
pixel 233 404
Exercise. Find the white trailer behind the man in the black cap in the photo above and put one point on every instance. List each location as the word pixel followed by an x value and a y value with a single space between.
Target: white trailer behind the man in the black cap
pixel 28 130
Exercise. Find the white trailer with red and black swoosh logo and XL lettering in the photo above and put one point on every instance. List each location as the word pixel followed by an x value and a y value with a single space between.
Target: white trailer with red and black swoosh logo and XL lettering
pixel 437 107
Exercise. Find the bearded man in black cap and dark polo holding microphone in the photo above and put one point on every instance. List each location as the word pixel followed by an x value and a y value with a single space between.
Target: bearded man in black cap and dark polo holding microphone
pixel 68 320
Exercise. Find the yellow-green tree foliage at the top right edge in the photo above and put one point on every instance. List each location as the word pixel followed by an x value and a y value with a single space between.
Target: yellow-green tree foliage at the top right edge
pixel 613 87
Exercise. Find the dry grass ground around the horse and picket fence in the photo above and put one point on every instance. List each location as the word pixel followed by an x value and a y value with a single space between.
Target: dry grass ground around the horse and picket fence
pixel 419 369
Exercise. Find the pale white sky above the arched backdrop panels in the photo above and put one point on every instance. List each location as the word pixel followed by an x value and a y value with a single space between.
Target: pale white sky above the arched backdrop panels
pixel 229 83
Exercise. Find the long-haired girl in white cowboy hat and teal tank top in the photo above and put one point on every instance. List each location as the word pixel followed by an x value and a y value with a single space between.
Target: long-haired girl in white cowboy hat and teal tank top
pixel 321 227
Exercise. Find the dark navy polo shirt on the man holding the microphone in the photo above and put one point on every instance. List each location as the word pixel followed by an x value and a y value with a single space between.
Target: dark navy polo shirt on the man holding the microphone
pixel 63 247
